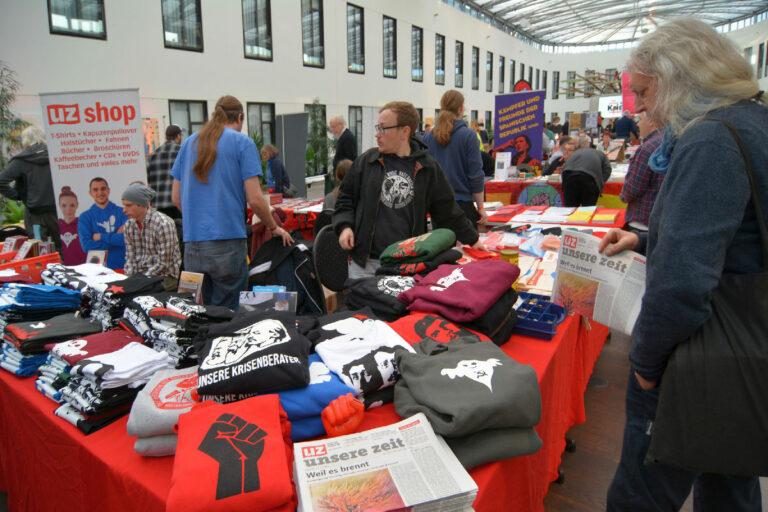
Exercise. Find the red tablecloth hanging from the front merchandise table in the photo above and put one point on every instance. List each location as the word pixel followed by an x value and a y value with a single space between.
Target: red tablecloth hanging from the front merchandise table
pixel 47 464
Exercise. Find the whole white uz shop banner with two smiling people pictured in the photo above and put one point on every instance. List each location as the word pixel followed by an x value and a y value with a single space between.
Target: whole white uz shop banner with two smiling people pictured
pixel 96 149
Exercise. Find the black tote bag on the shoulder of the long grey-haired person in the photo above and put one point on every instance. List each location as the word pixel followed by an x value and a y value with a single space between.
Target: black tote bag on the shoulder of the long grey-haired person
pixel 713 405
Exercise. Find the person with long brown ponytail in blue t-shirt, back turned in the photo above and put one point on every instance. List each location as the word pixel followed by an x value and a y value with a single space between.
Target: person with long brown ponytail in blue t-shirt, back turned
pixel 215 173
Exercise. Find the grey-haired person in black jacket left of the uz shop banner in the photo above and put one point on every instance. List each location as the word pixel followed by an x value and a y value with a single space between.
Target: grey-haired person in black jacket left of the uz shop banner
pixel 28 179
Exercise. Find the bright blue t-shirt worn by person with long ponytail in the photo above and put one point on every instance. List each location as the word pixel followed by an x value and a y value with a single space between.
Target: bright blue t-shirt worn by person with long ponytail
pixel 216 210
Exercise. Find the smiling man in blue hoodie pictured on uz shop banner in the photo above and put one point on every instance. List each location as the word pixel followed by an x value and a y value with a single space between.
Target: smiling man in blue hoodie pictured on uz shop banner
pixel 101 226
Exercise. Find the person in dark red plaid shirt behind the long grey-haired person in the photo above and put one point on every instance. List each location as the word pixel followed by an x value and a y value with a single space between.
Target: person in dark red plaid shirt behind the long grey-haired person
pixel 641 186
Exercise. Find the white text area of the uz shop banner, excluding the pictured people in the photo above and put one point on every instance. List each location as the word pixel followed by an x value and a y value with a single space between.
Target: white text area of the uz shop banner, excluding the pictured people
pixel 94 134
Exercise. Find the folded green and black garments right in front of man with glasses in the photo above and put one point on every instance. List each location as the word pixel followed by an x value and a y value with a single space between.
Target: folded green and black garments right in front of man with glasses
pixel 414 255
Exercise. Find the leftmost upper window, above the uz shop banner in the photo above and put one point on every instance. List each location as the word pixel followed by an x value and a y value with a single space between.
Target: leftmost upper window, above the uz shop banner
pixel 84 18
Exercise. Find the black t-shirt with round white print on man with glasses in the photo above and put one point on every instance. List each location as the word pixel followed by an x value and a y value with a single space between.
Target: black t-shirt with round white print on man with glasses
pixel 396 209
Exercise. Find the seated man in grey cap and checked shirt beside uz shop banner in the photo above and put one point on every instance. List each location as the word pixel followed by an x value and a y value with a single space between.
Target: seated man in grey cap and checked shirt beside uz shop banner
pixel 151 240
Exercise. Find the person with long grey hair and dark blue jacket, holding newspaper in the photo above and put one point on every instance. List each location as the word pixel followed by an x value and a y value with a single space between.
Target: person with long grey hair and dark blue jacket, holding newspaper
pixel 704 238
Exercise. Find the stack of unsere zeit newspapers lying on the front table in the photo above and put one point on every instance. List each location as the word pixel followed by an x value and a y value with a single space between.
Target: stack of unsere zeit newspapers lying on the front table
pixel 388 468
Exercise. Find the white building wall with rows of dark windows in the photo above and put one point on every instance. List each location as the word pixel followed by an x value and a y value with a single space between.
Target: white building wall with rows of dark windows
pixel 134 55
